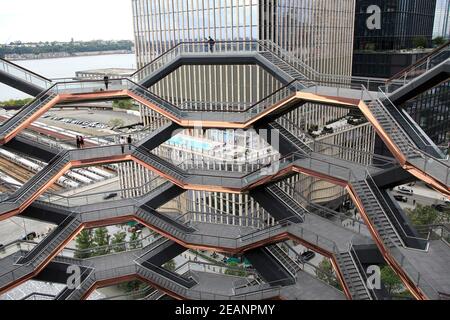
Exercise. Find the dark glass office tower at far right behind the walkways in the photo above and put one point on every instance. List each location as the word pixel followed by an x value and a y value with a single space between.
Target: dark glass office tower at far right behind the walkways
pixel 404 33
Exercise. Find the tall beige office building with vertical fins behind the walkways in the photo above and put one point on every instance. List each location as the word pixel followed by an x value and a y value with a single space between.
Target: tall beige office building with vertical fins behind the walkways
pixel 316 32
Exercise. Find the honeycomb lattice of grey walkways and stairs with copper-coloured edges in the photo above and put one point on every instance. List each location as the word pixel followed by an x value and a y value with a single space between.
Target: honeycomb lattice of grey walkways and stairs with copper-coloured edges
pixel 269 255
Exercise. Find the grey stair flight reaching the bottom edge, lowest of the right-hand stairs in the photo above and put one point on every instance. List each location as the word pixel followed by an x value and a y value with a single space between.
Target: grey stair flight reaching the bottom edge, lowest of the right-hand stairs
pixel 352 277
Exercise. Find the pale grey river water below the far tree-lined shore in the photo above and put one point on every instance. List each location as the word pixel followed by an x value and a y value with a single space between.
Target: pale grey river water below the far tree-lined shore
pixel 66 68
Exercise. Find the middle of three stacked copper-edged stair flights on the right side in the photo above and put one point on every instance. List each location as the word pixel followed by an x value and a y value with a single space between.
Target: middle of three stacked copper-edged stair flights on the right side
pixel 376 214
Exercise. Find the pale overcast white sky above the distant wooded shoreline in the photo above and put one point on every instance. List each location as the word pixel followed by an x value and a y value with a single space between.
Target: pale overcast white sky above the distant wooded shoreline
pixel 61 20
